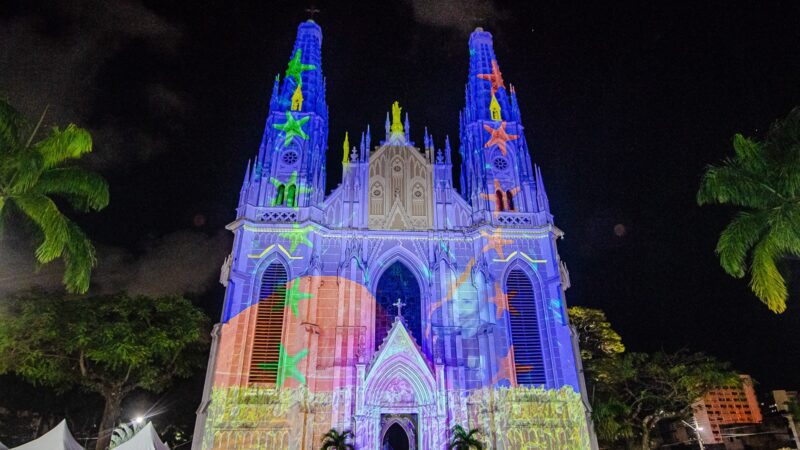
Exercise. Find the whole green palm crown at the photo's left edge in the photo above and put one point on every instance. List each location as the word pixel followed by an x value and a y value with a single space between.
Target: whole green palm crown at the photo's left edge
pixel 33 170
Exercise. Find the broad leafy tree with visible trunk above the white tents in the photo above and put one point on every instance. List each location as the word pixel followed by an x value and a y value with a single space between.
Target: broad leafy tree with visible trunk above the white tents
pixel 110 344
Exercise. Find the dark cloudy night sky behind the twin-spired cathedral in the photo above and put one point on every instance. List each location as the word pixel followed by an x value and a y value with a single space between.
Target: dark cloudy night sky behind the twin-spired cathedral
pixel 624 103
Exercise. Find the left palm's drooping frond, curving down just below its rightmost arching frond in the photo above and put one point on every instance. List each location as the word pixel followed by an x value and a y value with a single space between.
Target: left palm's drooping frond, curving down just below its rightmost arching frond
pixel 54 226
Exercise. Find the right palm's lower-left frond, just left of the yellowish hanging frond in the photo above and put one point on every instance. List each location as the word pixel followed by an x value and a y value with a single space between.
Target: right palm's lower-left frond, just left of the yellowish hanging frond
pixel 737 239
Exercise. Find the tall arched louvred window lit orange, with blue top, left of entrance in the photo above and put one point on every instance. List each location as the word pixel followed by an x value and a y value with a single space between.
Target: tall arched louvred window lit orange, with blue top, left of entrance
pixel 269 325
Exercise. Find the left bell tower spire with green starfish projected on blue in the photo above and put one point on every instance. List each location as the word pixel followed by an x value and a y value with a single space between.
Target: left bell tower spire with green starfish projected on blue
pixel 289 171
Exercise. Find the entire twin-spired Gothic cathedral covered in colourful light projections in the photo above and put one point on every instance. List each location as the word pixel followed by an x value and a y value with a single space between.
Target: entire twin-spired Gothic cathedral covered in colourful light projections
pixel 397 306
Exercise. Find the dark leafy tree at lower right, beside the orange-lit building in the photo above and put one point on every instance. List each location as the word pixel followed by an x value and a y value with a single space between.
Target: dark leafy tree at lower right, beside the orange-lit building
pixel 636 391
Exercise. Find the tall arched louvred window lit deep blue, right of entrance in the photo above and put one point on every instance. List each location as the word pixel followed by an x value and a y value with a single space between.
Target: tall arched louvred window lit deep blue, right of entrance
pixel 525 337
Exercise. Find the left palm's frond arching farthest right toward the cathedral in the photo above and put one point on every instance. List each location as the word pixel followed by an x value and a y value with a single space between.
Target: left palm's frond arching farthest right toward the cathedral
pixel 85 189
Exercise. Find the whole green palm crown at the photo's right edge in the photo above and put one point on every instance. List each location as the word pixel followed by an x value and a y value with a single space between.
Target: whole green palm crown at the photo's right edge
pixel 762 179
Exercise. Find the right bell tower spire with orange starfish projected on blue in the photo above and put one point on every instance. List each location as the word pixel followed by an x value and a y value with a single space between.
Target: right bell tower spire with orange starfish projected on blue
pixel 497 175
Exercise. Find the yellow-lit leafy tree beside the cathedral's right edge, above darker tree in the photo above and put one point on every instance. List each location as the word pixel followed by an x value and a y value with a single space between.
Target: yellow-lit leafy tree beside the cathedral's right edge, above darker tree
pixel 595 335
